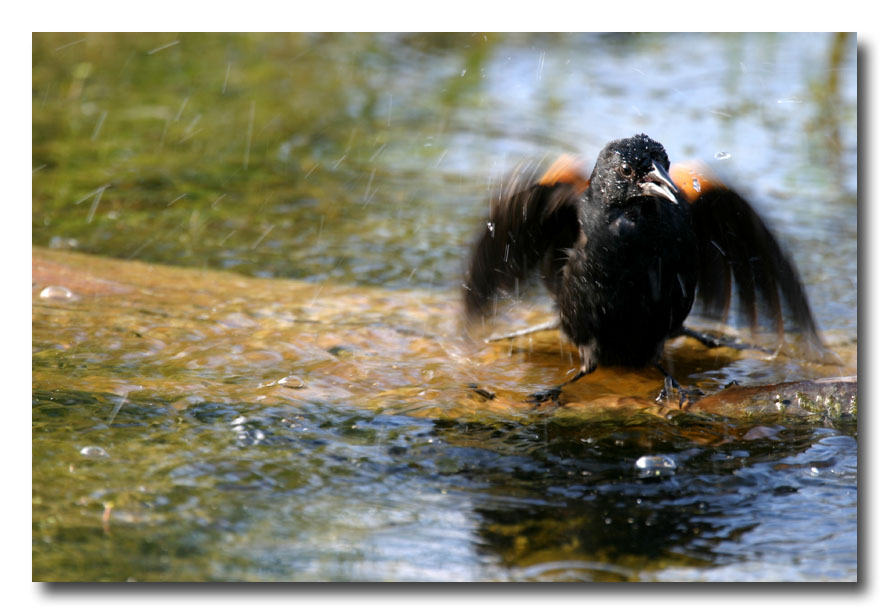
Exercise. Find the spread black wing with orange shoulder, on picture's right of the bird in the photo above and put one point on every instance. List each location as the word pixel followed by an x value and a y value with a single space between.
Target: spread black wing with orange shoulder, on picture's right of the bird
pixel 738 251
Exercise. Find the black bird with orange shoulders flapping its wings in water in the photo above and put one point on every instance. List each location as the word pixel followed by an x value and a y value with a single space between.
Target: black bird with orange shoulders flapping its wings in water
pixel 626 253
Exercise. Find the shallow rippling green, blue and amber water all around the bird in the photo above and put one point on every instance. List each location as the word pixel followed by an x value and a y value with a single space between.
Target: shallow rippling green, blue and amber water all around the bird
pixel 189 425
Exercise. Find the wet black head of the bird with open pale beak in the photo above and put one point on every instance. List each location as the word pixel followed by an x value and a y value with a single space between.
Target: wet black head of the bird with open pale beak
pixel 628 169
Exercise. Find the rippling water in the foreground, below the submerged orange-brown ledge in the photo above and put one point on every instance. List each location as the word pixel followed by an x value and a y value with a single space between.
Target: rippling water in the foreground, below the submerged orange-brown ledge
pixel 319 492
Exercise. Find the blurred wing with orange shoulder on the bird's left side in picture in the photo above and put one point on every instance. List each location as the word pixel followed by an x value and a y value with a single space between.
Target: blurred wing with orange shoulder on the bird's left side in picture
pixel 533 220
